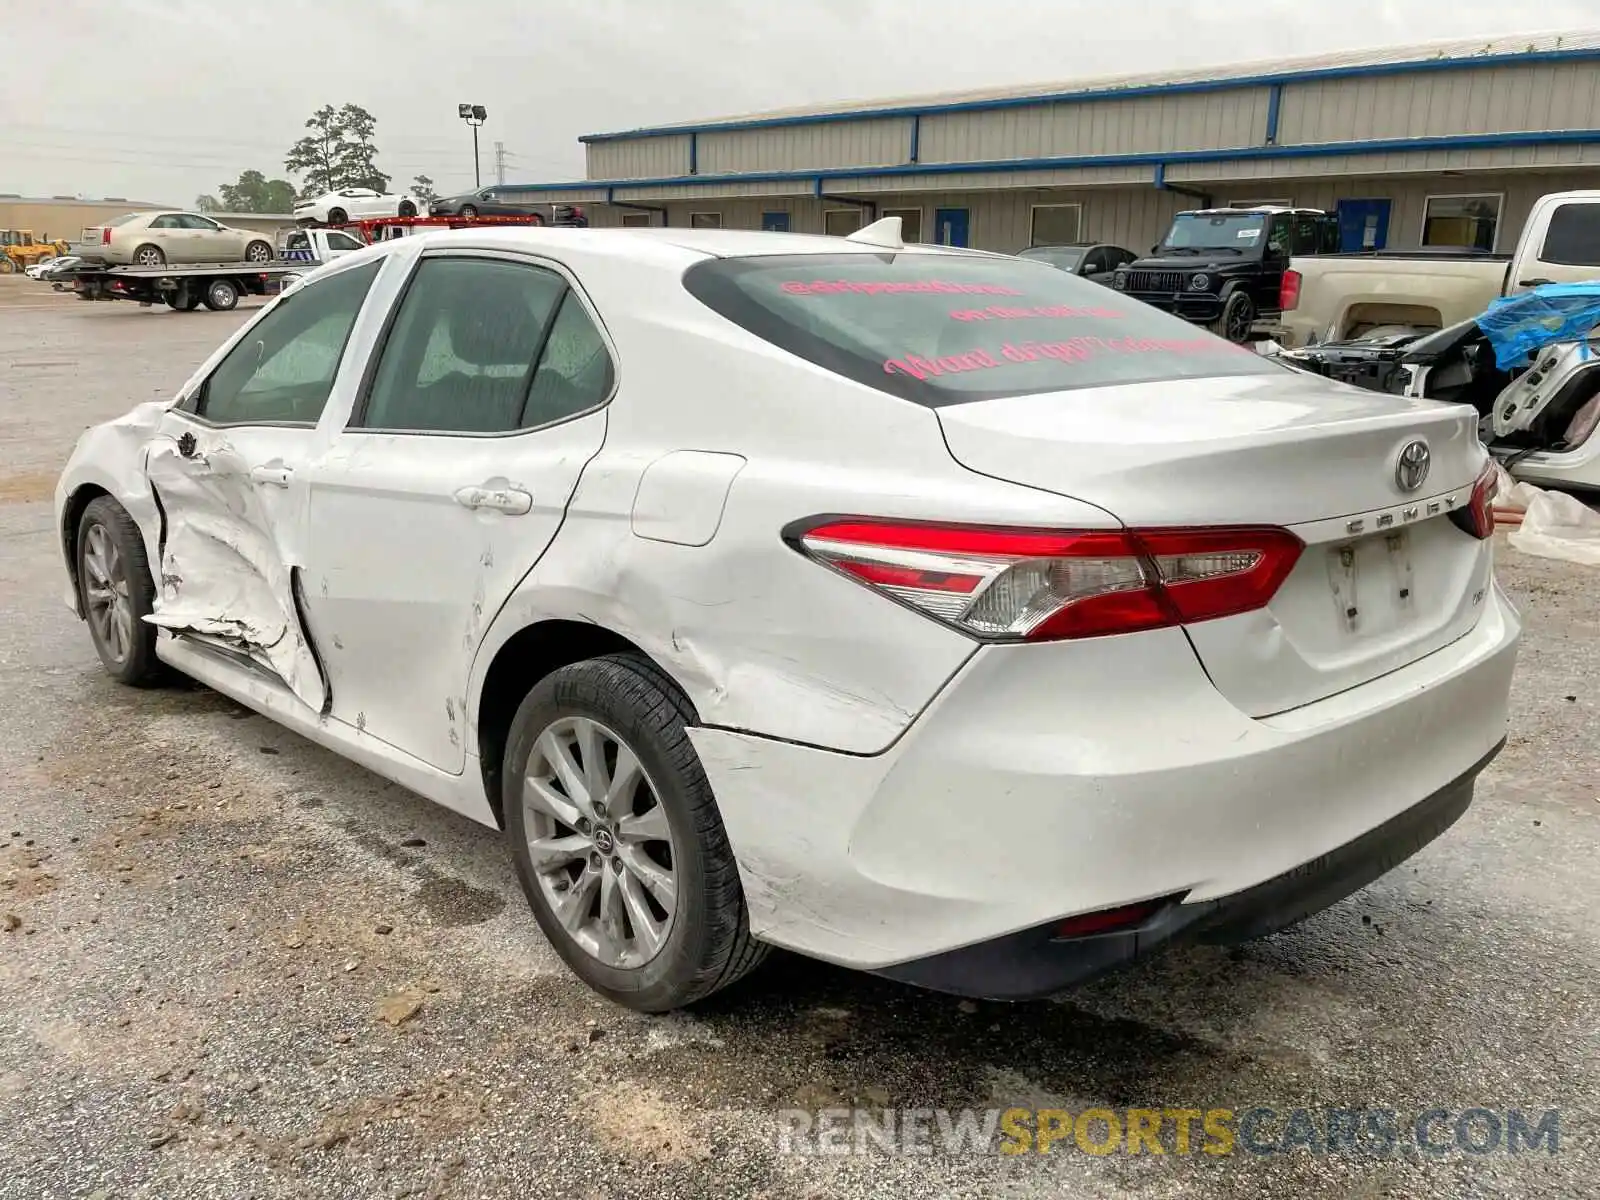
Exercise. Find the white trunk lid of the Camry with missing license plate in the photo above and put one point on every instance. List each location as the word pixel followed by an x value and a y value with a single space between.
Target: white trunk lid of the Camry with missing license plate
pixel 1386 575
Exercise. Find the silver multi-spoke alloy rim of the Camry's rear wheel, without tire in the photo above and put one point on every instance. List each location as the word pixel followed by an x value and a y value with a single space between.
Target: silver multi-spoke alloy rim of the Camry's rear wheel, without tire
pixel 601 842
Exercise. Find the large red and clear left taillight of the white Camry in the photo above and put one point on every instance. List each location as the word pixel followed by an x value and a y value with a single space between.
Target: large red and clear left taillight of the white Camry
pixel 1046 585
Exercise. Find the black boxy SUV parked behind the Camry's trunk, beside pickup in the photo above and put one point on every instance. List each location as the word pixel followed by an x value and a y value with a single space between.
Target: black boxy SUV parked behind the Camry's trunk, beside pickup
pixel 1223 266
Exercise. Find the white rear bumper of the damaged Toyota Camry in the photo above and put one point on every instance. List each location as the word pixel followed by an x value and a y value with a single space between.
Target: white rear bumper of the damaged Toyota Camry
pixel 1060 780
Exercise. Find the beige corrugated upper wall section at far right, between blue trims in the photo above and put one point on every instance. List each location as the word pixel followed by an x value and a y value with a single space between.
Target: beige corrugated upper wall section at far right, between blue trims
pixel 1495 100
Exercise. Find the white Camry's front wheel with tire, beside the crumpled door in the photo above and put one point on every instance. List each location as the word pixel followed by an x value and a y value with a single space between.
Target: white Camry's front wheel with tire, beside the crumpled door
pixel 118 593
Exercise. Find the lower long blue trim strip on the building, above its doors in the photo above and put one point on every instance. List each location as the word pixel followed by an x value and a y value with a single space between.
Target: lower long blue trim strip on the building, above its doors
pixel 1474 142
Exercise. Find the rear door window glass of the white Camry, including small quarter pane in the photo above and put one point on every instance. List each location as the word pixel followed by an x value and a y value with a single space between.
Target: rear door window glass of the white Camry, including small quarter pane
pixel 486 346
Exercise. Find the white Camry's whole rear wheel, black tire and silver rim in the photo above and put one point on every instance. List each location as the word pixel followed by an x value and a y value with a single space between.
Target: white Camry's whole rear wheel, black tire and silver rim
pixel 617 838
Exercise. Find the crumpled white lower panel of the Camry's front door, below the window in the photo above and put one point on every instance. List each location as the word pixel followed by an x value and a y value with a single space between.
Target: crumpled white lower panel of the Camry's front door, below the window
pixel 233 524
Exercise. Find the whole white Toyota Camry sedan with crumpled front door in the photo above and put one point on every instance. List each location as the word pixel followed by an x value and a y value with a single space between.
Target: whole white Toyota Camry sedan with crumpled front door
pixel 929 612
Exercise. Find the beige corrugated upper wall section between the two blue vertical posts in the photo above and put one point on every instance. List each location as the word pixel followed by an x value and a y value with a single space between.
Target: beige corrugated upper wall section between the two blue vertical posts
pixel 1198 122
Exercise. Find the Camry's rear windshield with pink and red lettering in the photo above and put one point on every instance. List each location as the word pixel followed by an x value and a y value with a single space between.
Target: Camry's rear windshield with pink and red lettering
pixel 946 329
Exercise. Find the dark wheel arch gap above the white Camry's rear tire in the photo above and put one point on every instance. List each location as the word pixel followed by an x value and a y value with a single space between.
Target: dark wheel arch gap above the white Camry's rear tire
pixel 526 658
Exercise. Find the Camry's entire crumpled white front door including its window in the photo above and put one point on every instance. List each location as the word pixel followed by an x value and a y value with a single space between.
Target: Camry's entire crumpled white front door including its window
pixel 226 470
